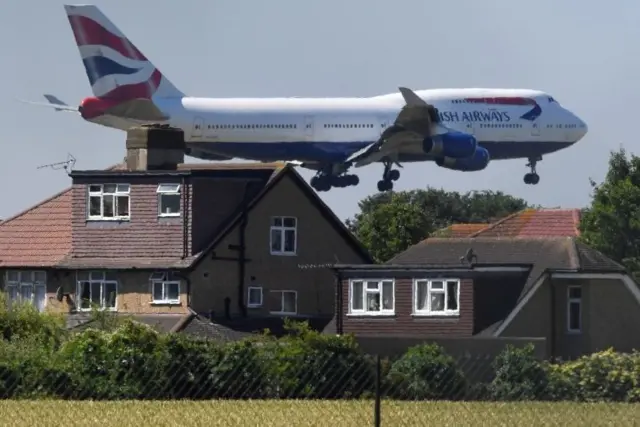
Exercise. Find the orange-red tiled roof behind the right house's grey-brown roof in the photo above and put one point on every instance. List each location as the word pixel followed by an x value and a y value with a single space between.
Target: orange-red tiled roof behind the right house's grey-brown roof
pixel 535 223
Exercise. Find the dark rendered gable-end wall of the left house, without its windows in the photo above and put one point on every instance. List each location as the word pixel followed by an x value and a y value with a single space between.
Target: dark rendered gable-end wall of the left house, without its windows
pixel 318 242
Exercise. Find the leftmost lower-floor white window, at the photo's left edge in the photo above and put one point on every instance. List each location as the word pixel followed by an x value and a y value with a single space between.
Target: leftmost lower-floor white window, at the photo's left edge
pixel 27 287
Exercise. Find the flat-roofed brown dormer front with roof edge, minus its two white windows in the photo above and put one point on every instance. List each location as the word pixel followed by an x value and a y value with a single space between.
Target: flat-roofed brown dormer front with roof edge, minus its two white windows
pixel 403 321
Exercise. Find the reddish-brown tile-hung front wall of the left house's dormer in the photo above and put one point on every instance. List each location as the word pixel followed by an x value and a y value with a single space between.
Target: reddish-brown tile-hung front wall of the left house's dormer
pixel 145 235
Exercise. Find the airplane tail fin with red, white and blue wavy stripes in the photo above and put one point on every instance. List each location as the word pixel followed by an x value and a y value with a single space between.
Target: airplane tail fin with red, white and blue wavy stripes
pixel 115 67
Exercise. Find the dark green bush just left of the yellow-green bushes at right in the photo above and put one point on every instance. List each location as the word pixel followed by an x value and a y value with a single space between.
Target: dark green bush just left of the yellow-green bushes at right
pixel 519 375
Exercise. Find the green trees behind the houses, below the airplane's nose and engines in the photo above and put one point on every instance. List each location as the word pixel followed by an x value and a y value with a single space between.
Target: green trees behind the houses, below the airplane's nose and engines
pixel 390 222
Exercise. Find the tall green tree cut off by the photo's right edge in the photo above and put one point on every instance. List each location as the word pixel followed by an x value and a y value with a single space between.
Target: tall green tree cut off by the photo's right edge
pixel 611 224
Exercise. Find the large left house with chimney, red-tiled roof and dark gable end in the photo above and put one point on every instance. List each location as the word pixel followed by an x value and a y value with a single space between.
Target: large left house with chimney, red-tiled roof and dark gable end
pixel 167 241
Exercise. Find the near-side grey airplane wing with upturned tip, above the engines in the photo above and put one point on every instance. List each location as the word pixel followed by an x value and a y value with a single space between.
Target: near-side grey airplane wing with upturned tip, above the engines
pixel 417 119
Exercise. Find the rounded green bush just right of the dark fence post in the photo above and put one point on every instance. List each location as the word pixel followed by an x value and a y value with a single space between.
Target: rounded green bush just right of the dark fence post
pixel 426 372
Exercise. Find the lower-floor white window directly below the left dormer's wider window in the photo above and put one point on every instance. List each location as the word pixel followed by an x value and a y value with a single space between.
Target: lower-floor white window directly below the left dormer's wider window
pixel 97 289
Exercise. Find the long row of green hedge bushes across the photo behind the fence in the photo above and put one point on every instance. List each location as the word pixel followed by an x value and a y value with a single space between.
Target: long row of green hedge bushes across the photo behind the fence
pixel 127 360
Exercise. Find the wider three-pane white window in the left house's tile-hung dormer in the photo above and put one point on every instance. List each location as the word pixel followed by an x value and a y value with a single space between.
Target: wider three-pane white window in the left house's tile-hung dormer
pixel 109 201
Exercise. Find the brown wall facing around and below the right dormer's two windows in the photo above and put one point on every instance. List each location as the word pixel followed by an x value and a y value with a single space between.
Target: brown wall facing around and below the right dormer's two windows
pixel 403 322
